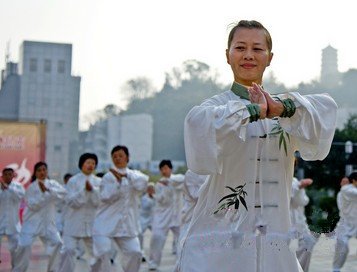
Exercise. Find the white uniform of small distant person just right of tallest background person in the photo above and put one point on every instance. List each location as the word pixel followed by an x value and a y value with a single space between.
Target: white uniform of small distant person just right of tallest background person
pixel 146 216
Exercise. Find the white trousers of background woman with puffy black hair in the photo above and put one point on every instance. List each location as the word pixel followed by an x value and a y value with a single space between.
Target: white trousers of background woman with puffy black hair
pixel 68 253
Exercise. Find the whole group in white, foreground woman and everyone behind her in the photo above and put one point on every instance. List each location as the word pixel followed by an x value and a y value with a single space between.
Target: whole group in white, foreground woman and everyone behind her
pixel 238 208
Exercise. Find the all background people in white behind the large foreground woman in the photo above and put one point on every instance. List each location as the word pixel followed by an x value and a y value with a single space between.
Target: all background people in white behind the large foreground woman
pixel 98 213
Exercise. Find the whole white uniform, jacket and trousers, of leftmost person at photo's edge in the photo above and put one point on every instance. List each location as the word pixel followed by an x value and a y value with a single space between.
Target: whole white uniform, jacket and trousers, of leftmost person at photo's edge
pixel 9 215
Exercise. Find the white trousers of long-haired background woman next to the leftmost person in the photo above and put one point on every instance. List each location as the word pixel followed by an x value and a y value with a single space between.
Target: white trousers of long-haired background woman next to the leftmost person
pixel 23 251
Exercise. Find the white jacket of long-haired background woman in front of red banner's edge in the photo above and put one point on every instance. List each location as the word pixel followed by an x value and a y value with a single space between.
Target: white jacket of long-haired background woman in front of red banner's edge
pixel 39 215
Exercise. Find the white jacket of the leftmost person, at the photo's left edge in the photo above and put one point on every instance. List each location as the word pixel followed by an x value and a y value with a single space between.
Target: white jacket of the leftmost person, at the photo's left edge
pixel 9 208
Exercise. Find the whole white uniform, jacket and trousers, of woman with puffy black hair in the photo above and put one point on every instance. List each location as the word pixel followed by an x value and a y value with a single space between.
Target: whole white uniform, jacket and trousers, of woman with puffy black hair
pixel 78 224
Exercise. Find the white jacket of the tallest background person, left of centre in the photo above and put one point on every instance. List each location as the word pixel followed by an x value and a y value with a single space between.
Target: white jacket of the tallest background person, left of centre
pixel 118 215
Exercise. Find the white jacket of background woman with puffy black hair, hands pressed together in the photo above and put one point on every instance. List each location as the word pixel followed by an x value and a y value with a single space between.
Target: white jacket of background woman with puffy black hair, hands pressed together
pixel 81 205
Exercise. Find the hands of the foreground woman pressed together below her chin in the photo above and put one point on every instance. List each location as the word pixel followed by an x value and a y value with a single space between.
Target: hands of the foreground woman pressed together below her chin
pixel 269 108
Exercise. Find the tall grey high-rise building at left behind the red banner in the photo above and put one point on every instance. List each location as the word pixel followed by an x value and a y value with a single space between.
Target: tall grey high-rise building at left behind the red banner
pixel 41 87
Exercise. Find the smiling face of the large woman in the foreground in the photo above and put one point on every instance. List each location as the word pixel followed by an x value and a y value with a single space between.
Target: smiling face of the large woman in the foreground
pixel 248 55
